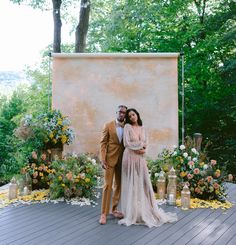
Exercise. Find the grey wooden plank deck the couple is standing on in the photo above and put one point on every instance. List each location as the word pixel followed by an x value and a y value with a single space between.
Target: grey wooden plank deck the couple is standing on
pixel 70 224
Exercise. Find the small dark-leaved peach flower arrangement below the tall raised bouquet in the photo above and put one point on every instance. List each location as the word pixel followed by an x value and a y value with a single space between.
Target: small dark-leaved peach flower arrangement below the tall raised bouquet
pixel 39 169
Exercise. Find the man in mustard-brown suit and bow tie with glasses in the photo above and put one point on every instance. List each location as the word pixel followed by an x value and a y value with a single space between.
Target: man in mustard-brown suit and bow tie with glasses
pixel 111 151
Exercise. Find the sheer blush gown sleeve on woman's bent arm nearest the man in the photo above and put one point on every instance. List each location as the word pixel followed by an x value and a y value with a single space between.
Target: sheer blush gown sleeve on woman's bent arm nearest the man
pixel 128 142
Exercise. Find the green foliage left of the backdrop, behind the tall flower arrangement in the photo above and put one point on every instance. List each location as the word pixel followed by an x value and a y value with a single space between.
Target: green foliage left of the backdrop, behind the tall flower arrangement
pixel 32 99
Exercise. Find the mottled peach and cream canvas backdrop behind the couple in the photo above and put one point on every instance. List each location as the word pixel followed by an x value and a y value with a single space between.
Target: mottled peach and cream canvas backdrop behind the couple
pixel 88 87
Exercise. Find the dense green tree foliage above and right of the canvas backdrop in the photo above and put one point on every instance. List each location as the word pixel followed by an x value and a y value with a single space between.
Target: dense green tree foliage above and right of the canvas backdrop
pixel 206 34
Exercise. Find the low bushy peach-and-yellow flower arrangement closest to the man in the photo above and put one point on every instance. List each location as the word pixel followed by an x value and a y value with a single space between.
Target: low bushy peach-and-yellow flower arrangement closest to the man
pixel 74 176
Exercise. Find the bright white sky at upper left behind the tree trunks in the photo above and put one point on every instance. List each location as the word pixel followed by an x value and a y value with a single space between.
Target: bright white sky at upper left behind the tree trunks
pixel 24 32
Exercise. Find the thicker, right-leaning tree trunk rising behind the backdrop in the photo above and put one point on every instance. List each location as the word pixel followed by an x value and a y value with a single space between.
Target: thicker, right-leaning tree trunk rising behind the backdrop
pixel 82 27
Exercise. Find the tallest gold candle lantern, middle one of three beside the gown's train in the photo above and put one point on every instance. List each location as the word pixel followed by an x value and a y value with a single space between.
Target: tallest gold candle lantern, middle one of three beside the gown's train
pixel 171 187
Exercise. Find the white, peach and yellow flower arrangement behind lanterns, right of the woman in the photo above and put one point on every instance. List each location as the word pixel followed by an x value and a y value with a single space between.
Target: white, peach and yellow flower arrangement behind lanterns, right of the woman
pixel 204 178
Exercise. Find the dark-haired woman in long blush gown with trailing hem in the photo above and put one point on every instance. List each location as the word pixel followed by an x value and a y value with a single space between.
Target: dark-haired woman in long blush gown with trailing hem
pixel 137 197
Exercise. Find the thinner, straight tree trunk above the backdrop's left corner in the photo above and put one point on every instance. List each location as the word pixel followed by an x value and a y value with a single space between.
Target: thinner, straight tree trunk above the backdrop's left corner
pixel 57 25
